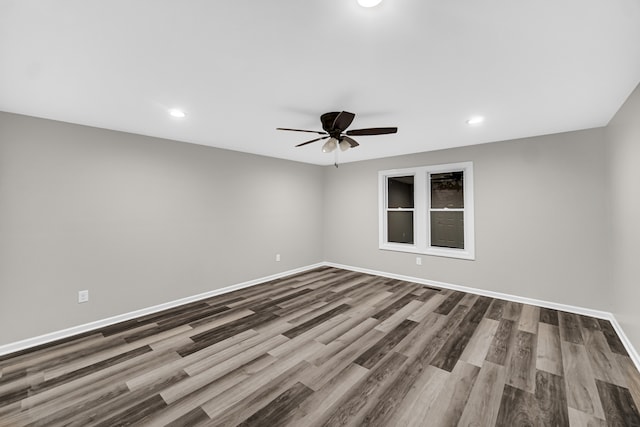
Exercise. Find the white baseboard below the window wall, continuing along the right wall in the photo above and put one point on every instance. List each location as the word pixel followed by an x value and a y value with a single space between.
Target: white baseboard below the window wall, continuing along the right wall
pixel 633 354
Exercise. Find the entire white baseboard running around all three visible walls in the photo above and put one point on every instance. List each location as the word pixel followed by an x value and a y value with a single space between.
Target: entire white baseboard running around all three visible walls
pixel 53 336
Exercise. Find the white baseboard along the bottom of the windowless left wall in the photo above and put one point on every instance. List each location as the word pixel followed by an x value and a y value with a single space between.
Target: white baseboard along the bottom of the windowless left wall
pixel 54 336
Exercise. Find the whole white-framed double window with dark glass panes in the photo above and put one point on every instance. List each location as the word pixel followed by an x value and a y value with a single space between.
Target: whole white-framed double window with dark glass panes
pixel 428 210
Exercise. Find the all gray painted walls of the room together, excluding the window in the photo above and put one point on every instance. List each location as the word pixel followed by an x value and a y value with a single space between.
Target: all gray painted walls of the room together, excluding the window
pixel 140 221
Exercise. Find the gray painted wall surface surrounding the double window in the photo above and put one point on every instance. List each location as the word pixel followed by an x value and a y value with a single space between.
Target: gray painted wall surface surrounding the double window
pixel 540 219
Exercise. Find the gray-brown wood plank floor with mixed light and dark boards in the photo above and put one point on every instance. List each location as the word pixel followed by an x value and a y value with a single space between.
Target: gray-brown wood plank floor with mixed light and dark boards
pixel 330 347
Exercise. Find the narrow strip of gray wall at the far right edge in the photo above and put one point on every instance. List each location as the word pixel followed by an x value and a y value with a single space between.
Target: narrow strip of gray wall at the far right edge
pixel 623 141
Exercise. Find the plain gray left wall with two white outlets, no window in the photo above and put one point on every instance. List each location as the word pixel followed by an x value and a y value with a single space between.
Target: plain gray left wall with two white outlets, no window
pixel 138 221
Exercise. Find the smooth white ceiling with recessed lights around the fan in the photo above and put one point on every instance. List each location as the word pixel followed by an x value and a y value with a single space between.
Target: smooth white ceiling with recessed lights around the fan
pixel 241 68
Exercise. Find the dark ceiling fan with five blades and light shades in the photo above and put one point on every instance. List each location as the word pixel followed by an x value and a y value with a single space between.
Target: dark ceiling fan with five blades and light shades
pixel 335 125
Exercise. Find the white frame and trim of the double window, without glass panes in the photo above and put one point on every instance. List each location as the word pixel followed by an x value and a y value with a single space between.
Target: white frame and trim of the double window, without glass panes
pixel 422 208
